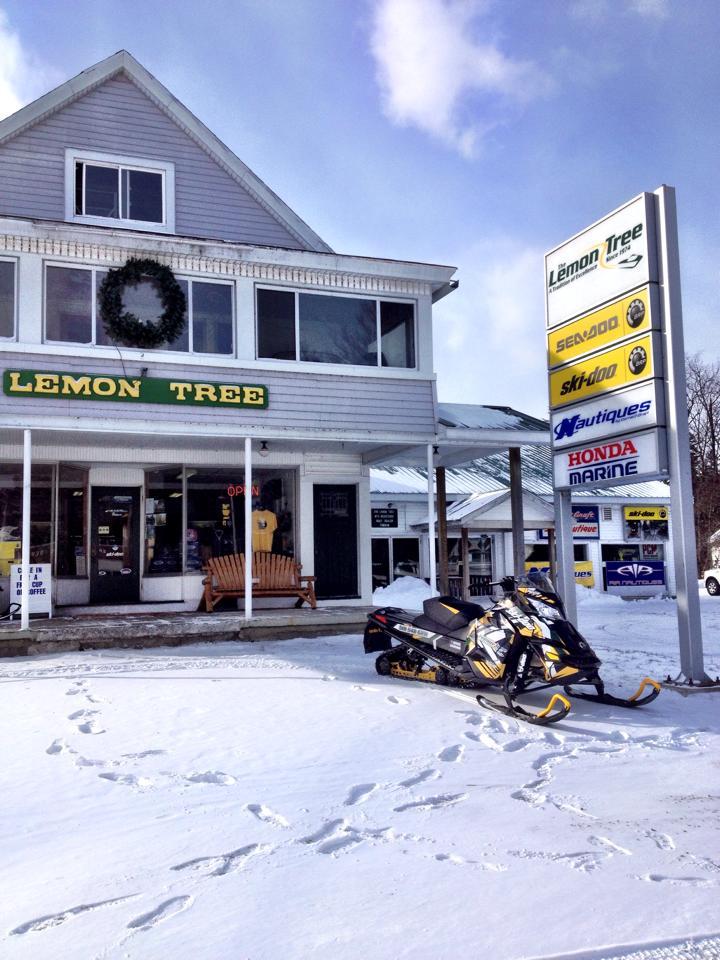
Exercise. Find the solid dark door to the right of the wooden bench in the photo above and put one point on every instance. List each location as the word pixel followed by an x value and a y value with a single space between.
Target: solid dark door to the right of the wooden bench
pixel 336 542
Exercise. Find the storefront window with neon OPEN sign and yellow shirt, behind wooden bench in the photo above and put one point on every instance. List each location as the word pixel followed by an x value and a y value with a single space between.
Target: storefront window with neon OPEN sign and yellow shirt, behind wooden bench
pixel 216 513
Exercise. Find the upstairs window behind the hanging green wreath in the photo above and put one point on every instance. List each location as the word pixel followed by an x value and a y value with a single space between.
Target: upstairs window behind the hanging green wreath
pixel 72 314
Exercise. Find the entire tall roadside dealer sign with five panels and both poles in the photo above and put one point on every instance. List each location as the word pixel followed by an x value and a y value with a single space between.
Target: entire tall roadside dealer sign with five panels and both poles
pixel 616 384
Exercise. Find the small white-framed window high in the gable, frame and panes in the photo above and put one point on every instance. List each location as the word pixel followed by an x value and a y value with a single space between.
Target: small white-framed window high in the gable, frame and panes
pixel 108 190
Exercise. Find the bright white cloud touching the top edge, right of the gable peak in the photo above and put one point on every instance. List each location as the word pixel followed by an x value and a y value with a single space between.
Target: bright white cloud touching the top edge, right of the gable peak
pixel 431 70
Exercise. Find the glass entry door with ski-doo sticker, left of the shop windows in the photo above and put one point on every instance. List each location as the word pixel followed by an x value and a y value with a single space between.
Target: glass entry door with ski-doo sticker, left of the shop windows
pixel 115 545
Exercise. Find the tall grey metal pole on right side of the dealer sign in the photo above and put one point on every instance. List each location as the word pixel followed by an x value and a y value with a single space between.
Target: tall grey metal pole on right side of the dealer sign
pixel 684 542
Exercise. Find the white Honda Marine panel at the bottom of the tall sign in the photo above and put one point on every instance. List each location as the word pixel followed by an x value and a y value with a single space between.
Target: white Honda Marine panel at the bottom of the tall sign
pixel 612 462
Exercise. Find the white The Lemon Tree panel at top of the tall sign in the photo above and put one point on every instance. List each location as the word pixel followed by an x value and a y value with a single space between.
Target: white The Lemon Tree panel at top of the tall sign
pixel 613 256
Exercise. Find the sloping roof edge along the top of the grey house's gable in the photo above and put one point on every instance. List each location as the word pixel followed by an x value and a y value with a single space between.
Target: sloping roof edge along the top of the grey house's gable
pixel 124 63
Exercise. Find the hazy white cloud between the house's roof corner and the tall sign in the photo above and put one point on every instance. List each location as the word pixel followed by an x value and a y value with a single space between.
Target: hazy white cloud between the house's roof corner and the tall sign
pixel 490 334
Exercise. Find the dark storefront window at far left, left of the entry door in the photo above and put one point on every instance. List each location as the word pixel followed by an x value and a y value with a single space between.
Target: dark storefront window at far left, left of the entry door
pixel 11 480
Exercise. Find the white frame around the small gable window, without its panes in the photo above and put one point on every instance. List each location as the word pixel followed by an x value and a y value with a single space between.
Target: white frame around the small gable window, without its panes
pixel 121 162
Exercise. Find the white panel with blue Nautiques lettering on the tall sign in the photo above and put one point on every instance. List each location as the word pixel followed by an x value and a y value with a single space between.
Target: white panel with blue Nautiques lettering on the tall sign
pixel 633 409
